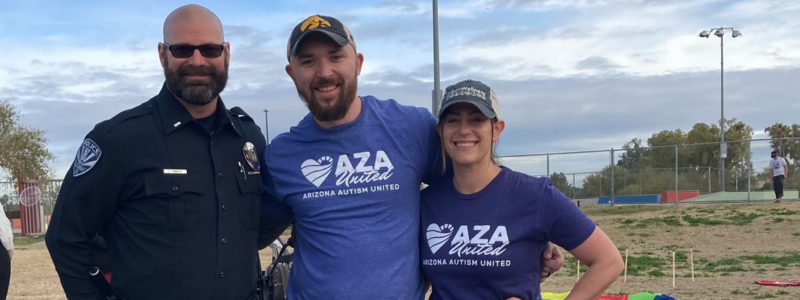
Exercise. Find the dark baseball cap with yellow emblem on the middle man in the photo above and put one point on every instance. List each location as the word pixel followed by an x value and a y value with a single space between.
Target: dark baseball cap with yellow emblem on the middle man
pixel 330 26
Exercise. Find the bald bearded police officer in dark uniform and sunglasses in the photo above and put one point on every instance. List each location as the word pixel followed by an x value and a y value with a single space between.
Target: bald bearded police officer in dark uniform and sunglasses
pixel 173 184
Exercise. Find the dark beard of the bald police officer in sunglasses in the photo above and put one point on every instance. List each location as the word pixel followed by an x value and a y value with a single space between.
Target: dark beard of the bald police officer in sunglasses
pixel 197 92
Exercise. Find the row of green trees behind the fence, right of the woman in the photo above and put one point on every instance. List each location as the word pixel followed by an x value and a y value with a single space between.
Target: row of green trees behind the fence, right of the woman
pixel 649 167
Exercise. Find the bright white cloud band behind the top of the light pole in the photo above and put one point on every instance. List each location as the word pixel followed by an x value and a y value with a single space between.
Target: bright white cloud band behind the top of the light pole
pixel 642 41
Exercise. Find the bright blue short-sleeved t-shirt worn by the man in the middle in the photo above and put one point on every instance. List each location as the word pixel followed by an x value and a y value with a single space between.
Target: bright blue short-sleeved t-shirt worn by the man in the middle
pixel 354 191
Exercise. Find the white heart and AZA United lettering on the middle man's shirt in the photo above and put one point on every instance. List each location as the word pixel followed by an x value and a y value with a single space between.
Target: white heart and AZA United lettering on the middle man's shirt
pixel 361 167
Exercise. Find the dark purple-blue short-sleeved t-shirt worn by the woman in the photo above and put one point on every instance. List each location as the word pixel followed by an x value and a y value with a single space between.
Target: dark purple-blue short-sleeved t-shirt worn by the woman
pixel 489 245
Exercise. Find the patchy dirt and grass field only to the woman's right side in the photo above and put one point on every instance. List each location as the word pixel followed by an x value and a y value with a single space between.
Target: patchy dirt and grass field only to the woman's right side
pixel 774 233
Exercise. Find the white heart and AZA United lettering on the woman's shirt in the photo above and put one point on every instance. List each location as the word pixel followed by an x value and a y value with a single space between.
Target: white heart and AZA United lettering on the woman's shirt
pixel 475 240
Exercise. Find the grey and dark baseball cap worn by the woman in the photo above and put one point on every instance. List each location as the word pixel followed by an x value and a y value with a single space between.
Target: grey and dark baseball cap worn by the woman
pixel 473 92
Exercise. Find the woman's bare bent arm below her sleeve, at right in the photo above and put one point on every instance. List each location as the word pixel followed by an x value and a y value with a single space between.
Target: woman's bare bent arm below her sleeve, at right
pixel 605 264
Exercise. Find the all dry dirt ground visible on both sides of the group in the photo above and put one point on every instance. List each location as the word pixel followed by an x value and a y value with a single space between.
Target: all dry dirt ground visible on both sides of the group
pixel 773 231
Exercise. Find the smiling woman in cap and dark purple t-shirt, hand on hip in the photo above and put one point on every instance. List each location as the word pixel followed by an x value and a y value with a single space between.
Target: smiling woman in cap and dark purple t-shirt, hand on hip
pixel 485 227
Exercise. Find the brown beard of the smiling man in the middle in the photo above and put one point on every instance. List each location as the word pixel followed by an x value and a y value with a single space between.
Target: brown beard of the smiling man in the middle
pixel 345 97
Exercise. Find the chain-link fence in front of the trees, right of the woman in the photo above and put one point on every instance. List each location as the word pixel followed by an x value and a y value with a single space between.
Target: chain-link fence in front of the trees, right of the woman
pixel 667 174
